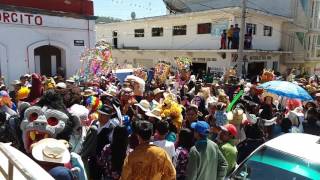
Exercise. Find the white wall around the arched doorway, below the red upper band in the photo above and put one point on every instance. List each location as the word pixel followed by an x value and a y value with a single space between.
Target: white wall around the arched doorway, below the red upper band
pixel 57 31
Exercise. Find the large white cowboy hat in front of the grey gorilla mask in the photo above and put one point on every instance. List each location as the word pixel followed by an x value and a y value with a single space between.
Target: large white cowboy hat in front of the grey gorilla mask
pixel 51 150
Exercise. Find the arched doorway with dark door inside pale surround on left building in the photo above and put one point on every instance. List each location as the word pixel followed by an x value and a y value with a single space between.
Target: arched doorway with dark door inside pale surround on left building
pixel 34 59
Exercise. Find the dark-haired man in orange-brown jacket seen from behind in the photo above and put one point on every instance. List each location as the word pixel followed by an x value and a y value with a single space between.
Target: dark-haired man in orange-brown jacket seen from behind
pixel 147 161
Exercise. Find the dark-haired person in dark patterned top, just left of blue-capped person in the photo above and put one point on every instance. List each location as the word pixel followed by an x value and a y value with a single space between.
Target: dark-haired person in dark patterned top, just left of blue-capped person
pixel 184 144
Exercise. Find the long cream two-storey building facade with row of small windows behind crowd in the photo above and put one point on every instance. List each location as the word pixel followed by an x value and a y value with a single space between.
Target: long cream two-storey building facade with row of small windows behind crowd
pixel 197 35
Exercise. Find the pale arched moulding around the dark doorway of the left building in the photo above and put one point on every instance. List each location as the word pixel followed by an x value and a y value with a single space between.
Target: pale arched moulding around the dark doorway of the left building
pixel 65 54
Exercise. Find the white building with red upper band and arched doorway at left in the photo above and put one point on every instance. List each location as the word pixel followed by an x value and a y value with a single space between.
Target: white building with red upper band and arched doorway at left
pixel 44 36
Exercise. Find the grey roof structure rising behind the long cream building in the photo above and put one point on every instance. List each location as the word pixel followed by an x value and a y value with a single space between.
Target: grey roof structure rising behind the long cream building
pixel 276 7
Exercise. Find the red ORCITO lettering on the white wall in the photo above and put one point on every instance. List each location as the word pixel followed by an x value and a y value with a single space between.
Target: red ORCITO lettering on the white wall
pixel 20 18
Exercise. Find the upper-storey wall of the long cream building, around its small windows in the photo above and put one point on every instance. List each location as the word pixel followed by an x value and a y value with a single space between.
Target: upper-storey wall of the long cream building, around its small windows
pixel 192 40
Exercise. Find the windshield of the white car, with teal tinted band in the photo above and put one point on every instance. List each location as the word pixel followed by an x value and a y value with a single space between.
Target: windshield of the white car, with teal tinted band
pixel 271 164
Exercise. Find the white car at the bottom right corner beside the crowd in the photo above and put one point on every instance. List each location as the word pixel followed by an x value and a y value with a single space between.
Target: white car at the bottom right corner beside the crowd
pixel 291 156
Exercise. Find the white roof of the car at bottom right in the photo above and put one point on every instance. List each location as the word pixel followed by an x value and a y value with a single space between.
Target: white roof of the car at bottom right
pixel 305 146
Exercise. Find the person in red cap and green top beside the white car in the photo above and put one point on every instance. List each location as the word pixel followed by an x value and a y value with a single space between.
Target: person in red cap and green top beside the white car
pixel 229 150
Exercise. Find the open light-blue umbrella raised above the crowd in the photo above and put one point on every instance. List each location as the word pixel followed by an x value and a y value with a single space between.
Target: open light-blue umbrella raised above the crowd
pixel 286 89
